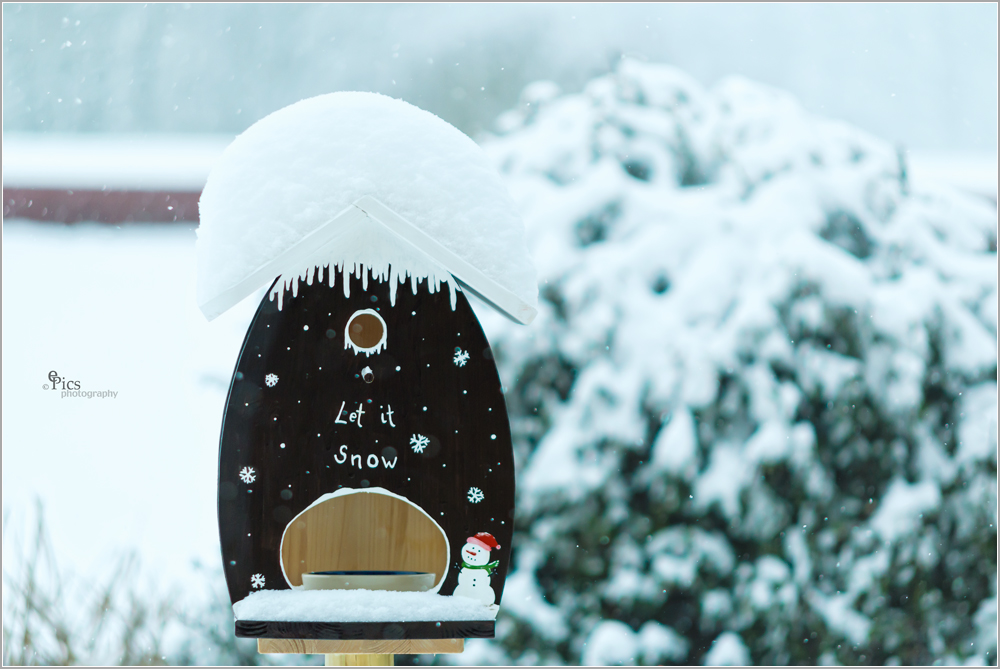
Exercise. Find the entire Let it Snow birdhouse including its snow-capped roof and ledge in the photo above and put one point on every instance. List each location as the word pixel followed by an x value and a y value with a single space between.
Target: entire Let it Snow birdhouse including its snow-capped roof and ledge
pixel 366 478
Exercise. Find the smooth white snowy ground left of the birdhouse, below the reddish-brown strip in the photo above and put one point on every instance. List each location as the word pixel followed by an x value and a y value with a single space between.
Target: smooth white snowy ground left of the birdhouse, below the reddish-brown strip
pixel 113 309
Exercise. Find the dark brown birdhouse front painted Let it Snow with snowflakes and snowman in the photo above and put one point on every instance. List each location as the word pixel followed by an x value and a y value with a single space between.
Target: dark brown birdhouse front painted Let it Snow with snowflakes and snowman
pixel 362 434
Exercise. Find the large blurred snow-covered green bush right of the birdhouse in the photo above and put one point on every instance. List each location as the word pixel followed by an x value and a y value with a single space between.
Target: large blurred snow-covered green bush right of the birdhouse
pixel 756 418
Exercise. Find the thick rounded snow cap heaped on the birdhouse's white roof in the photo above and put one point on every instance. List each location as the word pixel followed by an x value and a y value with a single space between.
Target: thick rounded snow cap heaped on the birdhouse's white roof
pixel 293 172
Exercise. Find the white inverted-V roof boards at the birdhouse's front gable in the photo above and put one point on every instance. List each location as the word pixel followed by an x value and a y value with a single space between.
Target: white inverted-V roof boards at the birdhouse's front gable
pixel 310 250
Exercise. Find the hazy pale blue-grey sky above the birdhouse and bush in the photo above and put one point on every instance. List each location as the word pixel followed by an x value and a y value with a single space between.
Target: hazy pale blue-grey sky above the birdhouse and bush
pixel 922 75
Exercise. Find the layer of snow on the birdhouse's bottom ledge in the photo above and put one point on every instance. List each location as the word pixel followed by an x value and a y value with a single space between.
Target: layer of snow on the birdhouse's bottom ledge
pixel 358 606
